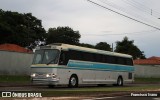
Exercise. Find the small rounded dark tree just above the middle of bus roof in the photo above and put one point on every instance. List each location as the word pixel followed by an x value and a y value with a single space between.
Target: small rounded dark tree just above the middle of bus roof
pixel 103 46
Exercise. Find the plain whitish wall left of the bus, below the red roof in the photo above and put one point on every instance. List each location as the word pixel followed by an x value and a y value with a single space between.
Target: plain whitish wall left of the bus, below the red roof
pixel 15 63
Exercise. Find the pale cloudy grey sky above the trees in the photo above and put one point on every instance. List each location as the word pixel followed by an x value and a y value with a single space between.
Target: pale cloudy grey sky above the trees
pixel 98 24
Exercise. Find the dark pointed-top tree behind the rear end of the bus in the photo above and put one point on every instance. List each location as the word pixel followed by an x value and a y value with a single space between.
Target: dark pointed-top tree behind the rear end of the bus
pixel 128 47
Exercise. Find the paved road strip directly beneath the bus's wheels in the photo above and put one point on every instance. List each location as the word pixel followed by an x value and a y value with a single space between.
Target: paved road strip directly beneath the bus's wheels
pixel 30 87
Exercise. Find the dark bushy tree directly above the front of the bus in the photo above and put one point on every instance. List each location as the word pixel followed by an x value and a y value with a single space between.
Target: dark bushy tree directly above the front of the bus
pixel 63 35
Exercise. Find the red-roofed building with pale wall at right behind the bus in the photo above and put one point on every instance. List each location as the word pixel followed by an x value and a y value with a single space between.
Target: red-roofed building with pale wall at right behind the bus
pixel 149 67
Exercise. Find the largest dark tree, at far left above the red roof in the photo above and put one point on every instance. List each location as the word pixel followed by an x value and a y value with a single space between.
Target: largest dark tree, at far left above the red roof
pixel 21 29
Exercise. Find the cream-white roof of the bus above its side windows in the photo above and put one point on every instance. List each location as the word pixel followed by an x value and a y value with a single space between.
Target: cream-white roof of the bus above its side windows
pixel 85 49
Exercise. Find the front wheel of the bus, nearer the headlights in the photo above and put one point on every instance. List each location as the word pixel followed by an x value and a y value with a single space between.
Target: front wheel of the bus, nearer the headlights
pixel 73 81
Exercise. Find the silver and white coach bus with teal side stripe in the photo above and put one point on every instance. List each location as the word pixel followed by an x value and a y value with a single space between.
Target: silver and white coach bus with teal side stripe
pixel 64 64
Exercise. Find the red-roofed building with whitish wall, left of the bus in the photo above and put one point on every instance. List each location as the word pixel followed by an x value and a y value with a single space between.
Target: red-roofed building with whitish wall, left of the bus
pixel 15 60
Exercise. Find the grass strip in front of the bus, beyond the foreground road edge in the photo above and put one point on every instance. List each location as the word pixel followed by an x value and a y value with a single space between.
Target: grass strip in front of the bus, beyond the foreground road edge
pixel 98 90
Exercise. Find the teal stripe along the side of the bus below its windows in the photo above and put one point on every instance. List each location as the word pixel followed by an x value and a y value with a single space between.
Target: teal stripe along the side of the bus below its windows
pixel 85 65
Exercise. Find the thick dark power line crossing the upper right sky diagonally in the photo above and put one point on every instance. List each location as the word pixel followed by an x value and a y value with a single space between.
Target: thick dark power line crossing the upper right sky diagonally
pixel 123 15
